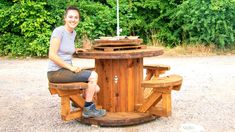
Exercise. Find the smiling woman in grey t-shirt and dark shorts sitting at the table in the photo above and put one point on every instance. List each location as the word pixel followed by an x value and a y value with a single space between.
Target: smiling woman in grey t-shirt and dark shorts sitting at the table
pixel 60 68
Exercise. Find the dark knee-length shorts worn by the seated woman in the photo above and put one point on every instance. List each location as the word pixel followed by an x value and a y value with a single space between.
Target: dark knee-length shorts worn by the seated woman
pixel 65 75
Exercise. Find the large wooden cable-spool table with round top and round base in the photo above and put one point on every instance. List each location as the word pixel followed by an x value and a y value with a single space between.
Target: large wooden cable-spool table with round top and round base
pixel 120 76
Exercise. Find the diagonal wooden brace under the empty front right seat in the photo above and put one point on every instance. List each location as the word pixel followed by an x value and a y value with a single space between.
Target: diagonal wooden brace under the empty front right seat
pixel 152 99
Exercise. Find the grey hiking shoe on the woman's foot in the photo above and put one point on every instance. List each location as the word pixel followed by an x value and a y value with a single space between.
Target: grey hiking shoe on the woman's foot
pixel 91 111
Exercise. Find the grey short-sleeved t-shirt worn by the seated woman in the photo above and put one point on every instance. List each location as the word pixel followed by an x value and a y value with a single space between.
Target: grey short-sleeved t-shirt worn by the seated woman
pixel 66 49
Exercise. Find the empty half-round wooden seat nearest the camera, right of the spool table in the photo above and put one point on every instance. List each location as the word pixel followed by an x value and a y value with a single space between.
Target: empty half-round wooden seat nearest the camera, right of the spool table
pixel 159 101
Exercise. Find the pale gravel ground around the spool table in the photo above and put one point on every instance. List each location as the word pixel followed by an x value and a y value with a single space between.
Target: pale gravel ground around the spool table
pixel 206 99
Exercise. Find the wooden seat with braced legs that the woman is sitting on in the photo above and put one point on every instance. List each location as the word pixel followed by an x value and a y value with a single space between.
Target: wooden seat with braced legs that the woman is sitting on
pixel 69 92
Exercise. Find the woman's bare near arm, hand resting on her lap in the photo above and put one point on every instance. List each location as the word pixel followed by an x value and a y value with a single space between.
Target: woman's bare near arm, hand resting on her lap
pixel 54 47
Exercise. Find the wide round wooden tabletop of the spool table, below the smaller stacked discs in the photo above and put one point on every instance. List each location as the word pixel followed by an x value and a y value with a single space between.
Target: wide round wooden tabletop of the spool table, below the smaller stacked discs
pixel 120 54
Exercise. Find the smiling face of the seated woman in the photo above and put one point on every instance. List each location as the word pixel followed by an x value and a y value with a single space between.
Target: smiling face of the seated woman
pixel 71 20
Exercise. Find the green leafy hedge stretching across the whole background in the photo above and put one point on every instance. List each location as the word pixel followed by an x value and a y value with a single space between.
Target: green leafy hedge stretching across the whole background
pixel 26 25
